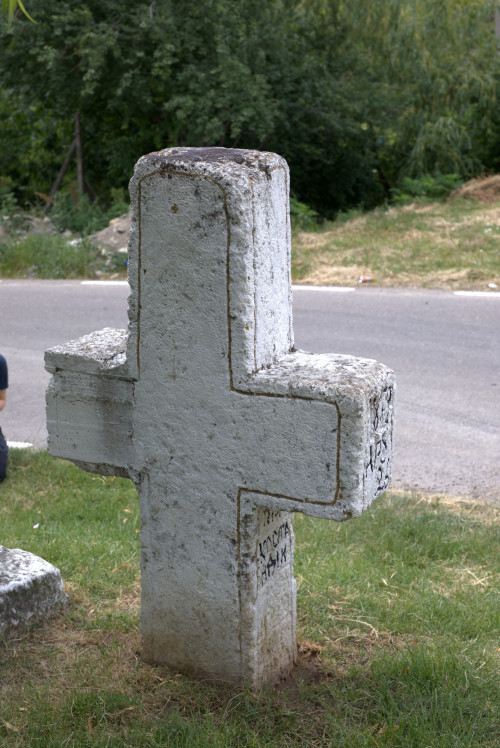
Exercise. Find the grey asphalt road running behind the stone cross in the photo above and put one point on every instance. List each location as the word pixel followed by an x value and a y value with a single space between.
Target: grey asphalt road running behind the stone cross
pixel 444 348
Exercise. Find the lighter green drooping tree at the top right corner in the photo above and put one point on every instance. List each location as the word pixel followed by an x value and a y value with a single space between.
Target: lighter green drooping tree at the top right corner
pixel 434 69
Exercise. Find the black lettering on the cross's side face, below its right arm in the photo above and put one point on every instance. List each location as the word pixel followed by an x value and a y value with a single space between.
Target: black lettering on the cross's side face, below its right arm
pixel 274 544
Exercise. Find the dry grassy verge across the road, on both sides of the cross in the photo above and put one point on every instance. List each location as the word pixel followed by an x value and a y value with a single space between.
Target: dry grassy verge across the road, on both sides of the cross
pixel 447 244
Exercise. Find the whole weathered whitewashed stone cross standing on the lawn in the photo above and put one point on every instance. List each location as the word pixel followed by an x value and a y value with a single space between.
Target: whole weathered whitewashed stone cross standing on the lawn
pixel 224 427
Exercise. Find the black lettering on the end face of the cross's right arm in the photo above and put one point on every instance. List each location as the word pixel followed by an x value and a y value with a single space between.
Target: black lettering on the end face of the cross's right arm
pixel 380 447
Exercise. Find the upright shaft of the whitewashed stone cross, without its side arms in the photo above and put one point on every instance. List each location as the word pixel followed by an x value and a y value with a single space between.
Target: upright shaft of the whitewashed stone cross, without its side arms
pixel 199 610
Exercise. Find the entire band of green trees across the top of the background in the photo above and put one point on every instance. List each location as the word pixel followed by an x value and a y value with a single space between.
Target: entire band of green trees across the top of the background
pixel 356 96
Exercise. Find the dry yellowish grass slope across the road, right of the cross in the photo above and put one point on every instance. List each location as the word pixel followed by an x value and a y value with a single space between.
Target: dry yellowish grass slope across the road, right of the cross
pixel 449 244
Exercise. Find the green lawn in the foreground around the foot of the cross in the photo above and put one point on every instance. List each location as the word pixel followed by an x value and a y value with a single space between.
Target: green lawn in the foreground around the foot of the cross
pixel 397 624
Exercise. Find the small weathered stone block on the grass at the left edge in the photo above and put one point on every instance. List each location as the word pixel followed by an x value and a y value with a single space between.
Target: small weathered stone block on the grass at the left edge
pixel 31 589
